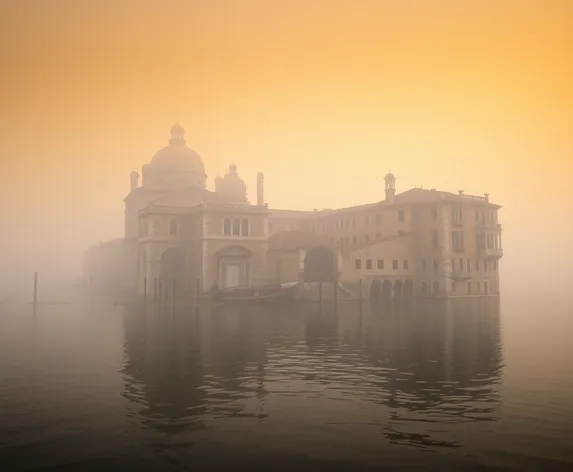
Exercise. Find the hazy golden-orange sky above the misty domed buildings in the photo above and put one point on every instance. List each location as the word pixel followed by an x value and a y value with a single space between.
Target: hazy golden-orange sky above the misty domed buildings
pixel 324 97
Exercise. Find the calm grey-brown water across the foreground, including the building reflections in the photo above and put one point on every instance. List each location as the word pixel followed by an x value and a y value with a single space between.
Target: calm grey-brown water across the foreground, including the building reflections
pixel 475 384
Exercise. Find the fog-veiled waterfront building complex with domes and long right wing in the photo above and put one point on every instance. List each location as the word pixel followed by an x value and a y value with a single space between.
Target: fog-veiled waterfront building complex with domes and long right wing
pixel 182 237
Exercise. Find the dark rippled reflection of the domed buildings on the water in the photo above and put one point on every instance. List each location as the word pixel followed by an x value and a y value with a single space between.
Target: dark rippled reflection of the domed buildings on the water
pixel 417 370
